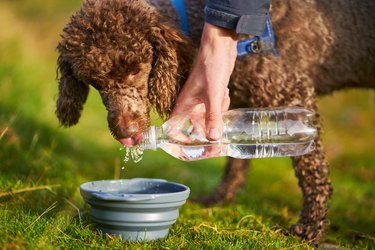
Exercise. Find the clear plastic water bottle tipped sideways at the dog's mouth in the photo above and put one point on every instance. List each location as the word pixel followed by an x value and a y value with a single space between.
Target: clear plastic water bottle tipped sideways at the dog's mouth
pixel 248 133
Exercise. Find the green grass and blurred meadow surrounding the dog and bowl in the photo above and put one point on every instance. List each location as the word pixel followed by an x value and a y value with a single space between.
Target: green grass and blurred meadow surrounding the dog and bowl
pixel 42 164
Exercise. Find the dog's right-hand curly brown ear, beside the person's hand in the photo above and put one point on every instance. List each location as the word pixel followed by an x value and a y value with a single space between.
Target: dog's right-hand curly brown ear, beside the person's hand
pixel 170 67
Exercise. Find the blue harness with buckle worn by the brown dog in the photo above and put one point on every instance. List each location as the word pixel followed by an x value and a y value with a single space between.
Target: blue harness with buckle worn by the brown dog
pixel 265 44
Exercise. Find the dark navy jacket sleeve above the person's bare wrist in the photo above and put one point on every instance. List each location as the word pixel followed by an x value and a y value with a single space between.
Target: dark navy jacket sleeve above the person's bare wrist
pixel 243 16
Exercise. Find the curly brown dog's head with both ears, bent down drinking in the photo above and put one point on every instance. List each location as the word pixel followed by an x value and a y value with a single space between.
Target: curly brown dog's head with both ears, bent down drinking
pixel 124 49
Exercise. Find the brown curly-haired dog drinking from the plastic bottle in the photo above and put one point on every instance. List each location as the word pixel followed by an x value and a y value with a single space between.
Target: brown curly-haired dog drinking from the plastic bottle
pixel 135 55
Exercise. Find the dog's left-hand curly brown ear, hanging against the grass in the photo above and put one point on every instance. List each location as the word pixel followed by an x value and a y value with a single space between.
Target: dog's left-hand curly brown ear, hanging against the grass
pixel 71 96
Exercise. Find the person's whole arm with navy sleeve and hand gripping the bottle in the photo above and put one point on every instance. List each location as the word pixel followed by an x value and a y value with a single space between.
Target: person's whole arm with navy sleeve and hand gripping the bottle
pixel 206 87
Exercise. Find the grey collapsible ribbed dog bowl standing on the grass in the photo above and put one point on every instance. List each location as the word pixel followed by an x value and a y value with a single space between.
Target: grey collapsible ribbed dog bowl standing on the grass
pixel 134 209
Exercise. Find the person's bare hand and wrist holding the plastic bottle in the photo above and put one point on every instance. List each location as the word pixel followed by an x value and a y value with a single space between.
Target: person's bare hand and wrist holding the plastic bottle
pixel 206 87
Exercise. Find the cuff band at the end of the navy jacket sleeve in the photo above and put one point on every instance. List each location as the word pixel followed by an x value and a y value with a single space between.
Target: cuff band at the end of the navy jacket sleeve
pixel 247 24
